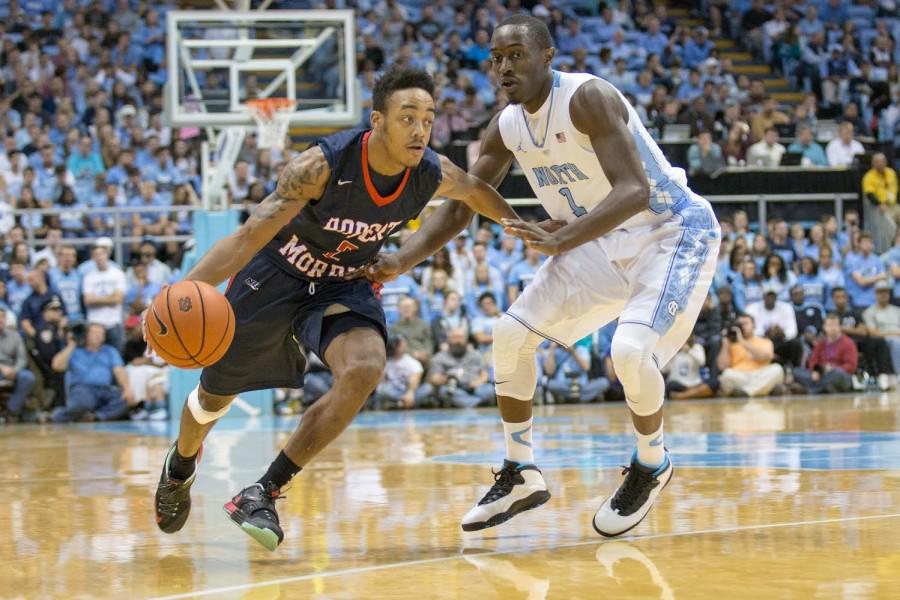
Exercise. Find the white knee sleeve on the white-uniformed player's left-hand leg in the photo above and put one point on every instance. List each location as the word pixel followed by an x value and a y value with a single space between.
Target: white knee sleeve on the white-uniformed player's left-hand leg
pixel 515 370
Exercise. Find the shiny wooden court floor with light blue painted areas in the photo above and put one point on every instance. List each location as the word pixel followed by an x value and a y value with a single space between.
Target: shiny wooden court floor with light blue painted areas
pixel 795 498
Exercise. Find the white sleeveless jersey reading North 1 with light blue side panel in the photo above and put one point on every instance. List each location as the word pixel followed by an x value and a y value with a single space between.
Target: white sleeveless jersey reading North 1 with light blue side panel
pixel 563 169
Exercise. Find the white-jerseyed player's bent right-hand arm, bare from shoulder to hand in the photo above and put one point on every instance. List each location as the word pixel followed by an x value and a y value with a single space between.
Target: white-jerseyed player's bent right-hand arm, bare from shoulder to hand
pixel 597 111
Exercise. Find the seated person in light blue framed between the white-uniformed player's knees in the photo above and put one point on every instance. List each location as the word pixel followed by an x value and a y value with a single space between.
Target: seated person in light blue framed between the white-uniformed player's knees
pixel 567 372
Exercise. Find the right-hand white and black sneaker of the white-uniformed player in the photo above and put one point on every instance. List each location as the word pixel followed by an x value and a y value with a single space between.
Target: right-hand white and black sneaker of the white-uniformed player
pixel 633 500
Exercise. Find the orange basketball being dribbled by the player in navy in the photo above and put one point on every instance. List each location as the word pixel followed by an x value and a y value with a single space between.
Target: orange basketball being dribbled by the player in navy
pixel 190 325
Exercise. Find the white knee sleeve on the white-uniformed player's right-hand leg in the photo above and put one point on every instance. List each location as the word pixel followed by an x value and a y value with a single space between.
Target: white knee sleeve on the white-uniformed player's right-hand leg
pixel 632 354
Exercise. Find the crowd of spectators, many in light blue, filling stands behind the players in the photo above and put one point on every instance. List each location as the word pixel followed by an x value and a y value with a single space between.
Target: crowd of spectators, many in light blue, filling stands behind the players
pixel 83 136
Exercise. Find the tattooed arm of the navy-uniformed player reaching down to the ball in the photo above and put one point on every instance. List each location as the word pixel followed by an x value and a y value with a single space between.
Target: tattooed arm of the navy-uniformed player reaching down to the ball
pixel 302 180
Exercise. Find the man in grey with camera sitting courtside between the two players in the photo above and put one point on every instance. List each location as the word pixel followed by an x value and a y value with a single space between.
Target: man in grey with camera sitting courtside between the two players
pixel 456 376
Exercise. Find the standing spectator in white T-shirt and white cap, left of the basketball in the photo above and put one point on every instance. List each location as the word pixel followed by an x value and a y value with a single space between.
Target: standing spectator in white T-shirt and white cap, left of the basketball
pixel 103 292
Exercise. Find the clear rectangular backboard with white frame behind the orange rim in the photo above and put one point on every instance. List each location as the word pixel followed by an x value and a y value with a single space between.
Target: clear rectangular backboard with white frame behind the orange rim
pixel 219 59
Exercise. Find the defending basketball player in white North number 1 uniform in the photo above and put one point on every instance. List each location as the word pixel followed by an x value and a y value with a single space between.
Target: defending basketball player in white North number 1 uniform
pixel 627 240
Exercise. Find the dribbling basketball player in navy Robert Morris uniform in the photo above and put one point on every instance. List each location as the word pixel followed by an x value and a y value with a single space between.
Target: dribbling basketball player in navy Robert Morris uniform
pixel 332 210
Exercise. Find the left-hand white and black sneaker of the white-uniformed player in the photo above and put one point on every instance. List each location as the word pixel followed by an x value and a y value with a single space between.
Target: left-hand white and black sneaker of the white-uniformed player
pixel 516 488
